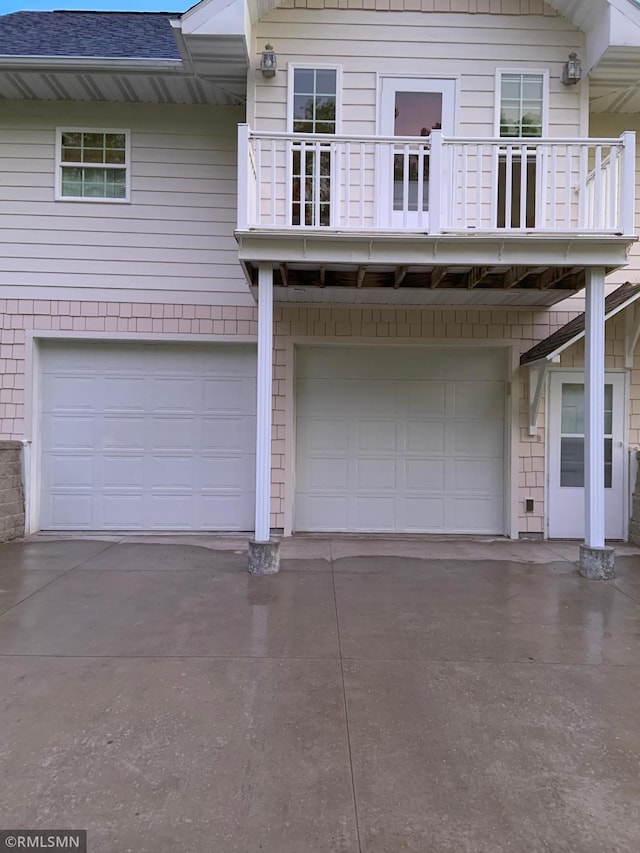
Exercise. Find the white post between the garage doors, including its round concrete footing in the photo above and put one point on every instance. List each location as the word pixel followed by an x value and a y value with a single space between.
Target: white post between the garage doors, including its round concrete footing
pixel 264 555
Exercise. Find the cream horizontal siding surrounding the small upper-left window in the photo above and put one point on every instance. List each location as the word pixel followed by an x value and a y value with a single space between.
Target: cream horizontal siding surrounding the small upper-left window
pixel 175 235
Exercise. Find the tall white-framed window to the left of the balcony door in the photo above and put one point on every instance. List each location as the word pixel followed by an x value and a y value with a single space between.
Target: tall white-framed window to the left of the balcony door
pixel 313 110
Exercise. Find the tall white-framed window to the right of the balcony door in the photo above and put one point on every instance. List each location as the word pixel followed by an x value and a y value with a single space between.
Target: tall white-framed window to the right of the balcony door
pixel 521 114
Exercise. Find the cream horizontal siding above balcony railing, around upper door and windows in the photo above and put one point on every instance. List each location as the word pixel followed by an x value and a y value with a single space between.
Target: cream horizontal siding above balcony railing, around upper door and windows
pixel 469 46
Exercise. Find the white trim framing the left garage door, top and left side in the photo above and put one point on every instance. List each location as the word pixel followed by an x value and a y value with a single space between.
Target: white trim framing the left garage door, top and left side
pixel 33 394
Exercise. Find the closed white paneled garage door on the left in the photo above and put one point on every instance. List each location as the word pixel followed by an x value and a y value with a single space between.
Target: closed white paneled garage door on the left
pixel 147 437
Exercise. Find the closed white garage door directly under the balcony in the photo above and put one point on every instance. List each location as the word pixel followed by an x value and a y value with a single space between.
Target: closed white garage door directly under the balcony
pixel 400 439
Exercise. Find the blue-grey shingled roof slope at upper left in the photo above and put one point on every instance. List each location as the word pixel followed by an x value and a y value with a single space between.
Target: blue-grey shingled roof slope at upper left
pixel 105 35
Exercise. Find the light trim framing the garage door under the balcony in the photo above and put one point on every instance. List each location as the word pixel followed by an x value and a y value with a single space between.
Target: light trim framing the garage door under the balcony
pixel 511 434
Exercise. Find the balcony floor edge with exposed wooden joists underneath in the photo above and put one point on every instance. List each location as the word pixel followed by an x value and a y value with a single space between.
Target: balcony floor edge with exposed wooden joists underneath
pixel 414 268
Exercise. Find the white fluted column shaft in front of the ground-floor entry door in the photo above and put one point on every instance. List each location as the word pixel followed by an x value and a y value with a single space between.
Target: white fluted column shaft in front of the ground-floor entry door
pixel 594 408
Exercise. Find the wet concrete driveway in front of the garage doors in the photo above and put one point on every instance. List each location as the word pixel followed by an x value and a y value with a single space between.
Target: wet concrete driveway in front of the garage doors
pixel 379 696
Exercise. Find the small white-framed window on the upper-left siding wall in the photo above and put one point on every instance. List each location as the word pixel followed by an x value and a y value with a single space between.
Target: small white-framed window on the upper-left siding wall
pixel 93 165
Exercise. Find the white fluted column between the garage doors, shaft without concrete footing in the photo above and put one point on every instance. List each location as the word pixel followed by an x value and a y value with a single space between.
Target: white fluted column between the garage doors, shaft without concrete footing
pixel 263 408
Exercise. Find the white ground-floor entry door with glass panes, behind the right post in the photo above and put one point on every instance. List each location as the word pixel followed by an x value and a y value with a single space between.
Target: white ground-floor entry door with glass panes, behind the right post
pixel 566 456
